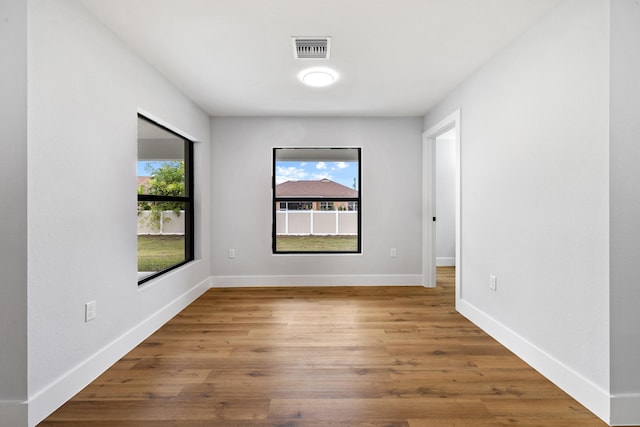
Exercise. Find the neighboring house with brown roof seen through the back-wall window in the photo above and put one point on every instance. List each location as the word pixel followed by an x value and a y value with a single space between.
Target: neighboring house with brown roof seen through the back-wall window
pixel 322 188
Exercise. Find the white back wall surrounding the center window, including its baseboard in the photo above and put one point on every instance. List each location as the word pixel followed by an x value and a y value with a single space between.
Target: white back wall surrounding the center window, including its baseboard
pixel 242 200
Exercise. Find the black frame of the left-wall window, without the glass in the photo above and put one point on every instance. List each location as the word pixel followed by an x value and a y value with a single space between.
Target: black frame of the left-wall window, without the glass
pixel 187 199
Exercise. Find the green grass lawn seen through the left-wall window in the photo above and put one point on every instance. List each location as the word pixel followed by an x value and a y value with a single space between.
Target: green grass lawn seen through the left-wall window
pixel 156 253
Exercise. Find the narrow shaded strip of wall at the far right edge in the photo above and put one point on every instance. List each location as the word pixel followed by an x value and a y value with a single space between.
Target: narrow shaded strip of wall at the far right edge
pixel 625 210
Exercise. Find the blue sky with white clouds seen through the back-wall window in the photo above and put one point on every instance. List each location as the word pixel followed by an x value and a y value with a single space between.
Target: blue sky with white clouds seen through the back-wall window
pixel 341 172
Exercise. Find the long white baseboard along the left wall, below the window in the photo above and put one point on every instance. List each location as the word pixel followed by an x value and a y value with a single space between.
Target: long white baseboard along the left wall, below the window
pixel 43 403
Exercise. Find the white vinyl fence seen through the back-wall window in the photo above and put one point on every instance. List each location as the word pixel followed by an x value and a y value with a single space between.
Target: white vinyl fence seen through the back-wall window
pixel 309 222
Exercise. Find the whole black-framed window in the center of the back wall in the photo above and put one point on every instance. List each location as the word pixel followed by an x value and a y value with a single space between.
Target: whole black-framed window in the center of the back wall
pixel 316 196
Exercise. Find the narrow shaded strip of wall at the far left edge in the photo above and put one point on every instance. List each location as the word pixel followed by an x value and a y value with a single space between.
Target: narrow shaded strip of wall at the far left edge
pixel 13 210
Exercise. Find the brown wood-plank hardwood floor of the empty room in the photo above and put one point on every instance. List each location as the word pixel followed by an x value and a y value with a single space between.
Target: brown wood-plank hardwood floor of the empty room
pixel 358 356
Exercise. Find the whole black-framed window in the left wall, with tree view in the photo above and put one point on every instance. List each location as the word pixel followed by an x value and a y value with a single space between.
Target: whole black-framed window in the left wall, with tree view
pixel 165 200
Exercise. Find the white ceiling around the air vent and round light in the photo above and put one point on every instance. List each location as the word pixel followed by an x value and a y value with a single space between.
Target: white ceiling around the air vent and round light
pixel 393 57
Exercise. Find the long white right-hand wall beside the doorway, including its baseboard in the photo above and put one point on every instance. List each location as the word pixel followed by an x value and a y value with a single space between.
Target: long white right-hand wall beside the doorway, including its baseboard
pixel 535 193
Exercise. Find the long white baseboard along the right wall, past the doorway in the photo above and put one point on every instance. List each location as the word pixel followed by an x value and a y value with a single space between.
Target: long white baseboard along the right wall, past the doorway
pixel 584 391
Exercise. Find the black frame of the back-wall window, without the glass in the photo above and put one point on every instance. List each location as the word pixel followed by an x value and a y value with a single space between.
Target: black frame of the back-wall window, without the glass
pixel 275 201
